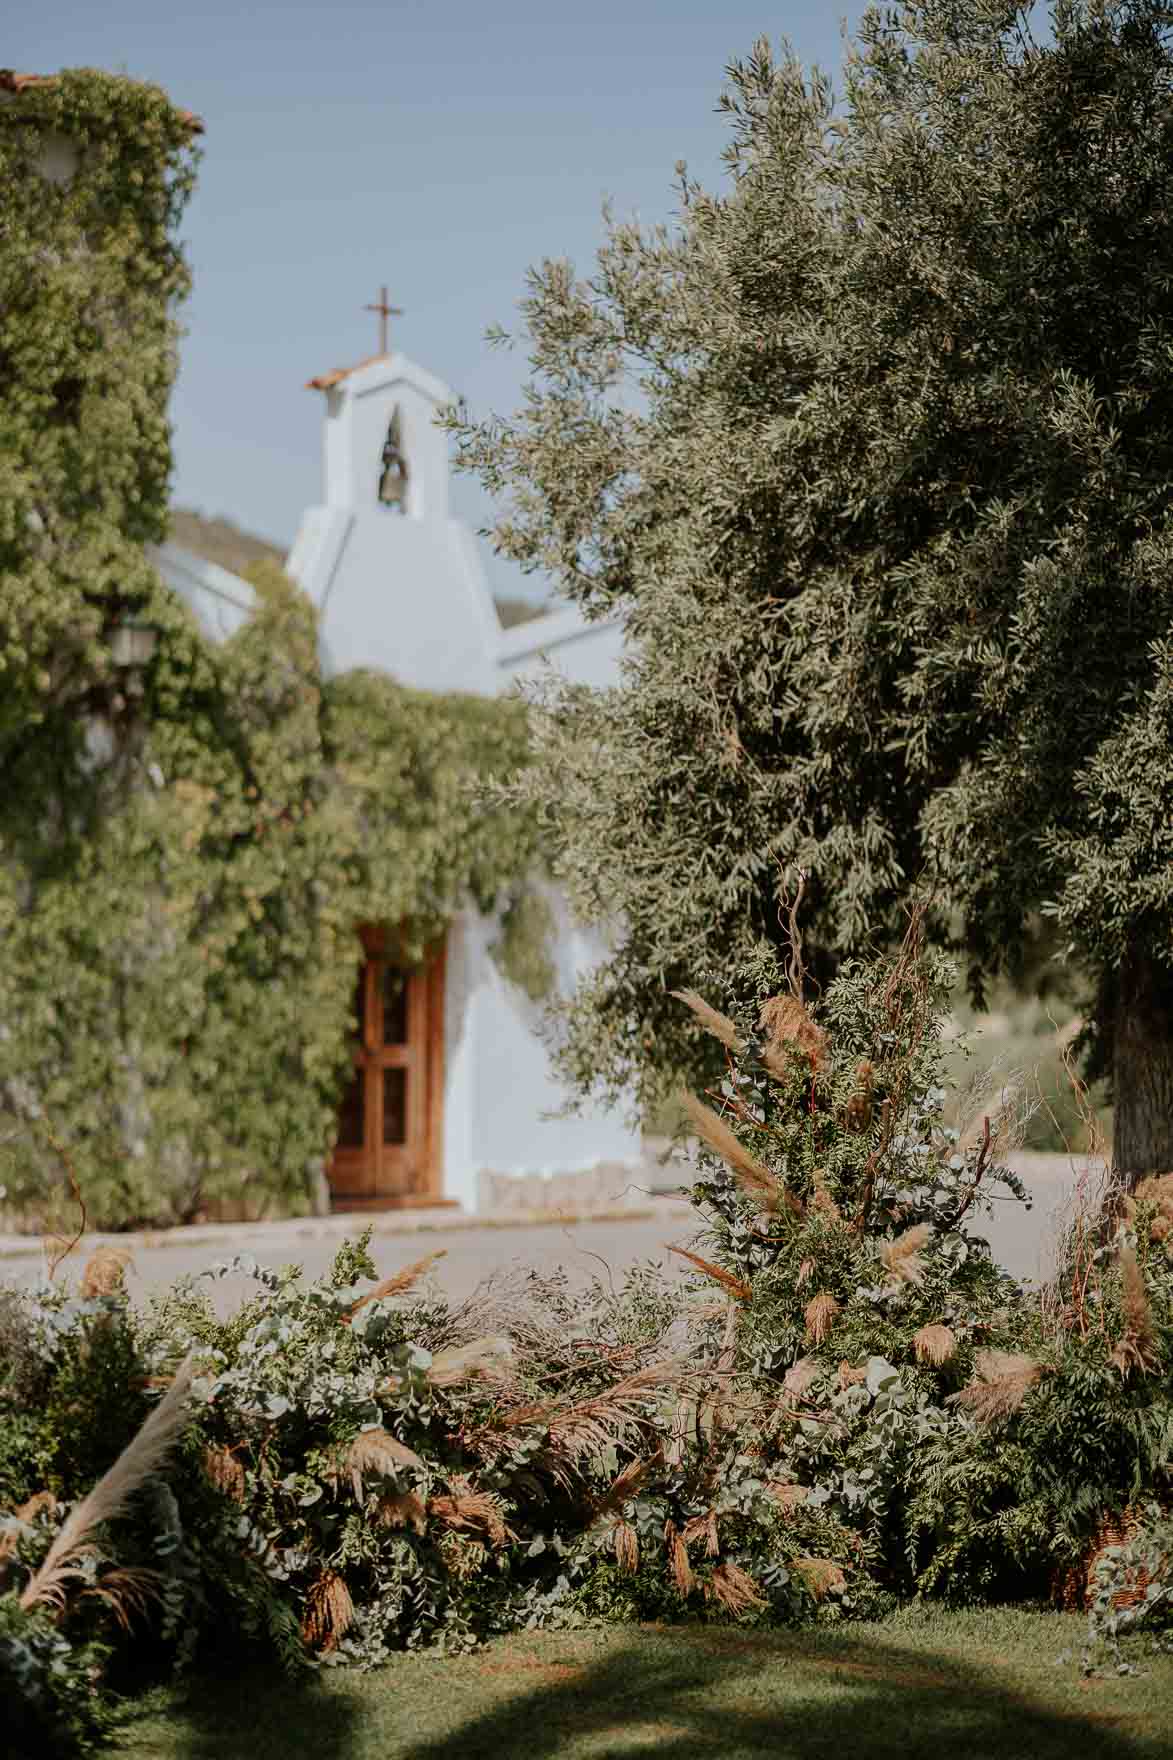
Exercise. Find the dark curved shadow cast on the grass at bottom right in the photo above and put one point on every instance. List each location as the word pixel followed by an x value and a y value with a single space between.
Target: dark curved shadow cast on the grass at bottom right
pixel 735 1698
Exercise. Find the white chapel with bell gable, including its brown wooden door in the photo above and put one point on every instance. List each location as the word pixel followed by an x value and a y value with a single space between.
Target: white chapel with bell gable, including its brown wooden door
pixel 452 1082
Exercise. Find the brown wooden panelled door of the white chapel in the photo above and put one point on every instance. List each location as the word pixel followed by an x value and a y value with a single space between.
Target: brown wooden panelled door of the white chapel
pixel 390 1124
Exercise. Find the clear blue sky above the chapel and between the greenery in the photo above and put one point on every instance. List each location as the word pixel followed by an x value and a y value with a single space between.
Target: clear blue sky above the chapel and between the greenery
pixel 441 147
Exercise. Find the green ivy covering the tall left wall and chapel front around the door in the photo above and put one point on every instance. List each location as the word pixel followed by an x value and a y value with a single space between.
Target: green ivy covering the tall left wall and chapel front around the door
pixel 181 879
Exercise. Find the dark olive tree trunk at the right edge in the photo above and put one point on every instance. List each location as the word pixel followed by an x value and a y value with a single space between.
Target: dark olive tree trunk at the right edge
pixel 1144 1069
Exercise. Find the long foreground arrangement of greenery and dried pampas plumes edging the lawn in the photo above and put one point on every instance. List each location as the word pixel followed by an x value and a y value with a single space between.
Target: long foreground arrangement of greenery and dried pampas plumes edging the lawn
pixel 850 1405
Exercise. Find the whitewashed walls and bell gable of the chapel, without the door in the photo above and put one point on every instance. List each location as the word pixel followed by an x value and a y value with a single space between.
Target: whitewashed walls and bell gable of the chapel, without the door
pixel 401 589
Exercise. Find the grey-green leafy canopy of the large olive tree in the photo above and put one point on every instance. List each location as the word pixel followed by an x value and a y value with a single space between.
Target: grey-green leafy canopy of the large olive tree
pixel 871 451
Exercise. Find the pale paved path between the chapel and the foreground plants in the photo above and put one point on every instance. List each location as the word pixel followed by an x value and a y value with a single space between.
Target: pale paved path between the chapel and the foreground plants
pixel 587 1249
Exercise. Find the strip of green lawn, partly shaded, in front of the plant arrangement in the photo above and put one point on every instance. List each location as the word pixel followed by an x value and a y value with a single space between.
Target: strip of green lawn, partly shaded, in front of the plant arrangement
pixel 922 1687
